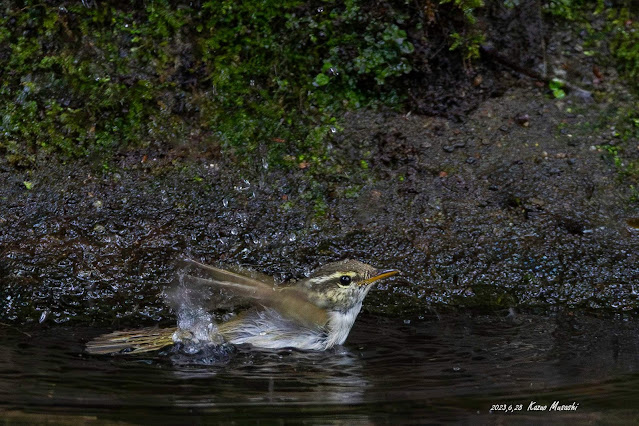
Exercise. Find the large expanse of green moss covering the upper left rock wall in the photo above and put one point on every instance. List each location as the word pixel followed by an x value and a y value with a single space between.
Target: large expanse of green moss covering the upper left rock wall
pixel 259 78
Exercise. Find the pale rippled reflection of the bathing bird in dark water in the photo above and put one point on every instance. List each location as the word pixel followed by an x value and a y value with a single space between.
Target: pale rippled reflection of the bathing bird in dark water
pixel 271 376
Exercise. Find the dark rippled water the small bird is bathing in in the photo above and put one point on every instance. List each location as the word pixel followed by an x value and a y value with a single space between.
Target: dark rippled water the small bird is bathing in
pixel 453 368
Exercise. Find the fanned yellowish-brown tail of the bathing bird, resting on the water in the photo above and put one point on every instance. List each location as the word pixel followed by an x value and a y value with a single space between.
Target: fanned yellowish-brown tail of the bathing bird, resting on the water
pixel 132 342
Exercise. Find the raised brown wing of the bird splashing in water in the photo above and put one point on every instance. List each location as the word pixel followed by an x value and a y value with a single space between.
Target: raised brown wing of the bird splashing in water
pixel 292 303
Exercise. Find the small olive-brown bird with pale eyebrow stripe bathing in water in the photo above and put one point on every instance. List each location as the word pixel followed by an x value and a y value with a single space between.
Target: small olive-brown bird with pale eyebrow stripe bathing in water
pixel 315 313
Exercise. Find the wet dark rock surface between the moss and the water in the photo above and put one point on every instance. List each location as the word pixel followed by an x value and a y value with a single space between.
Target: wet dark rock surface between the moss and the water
pixel 485 213
